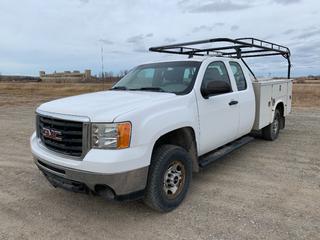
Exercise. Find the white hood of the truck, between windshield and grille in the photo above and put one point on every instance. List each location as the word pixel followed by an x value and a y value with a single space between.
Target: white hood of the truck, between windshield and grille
pixel 103 106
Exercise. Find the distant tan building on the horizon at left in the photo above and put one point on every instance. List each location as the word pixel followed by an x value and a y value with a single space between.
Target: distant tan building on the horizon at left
pixel 67 76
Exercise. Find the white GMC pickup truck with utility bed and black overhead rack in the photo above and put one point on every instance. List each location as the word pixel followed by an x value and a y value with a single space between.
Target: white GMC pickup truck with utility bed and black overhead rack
pixel 160 123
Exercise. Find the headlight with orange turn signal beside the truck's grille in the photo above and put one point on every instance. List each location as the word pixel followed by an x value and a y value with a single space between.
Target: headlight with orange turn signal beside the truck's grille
pixel 111 136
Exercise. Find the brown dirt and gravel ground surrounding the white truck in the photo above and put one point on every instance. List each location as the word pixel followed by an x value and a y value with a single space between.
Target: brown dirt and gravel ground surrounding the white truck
pixel 265 190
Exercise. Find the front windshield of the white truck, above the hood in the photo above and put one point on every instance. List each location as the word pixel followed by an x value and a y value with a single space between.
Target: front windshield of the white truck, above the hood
pixel 173 77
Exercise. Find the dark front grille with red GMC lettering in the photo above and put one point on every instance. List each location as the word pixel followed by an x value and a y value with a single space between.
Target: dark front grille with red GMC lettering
pixel 62 136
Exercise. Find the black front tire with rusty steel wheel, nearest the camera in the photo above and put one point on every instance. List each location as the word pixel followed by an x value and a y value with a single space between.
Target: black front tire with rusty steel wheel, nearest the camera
pixel 169 178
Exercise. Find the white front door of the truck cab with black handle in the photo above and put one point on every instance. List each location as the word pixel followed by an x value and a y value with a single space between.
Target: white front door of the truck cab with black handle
pixel 218 114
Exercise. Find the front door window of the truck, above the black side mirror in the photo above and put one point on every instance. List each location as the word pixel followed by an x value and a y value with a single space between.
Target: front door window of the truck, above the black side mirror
pixel 216 71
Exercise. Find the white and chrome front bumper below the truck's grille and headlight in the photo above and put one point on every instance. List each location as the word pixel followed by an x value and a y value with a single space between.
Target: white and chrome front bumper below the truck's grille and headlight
pixel 97 169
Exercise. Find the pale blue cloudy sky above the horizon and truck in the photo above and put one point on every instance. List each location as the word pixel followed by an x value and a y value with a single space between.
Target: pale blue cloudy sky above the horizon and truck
pixel 67 35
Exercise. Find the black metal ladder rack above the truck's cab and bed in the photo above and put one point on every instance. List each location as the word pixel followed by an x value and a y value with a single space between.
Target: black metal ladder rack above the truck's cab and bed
pixel 236 48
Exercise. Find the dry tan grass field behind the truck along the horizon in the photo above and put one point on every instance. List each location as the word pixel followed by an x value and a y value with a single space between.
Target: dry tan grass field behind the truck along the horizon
pixel 304 94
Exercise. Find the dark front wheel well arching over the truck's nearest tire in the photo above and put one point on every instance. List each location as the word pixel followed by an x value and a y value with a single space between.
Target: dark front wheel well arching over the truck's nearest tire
pixel 182 137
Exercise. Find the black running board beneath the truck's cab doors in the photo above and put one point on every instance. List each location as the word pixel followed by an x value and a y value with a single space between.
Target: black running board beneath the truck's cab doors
pixel 223 151
